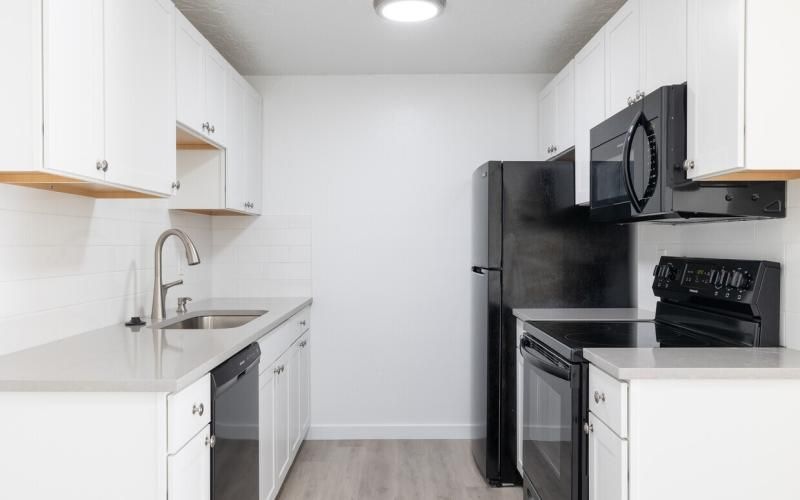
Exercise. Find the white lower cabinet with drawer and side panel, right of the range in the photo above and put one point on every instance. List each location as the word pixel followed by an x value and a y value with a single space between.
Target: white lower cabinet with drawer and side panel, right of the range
pixel 692 438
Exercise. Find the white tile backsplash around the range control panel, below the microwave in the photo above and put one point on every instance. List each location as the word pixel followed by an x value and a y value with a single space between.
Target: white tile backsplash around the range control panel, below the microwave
pixel 776 240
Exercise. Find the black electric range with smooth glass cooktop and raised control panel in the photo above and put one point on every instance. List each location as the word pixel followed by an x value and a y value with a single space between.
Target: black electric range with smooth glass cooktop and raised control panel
pixel 702 303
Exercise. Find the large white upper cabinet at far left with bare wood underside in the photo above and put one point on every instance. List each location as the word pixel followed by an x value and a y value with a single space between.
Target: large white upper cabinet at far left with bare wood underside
pixel 103 73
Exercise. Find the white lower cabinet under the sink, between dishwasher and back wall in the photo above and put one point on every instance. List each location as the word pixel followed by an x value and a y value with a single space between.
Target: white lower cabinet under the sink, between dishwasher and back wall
pixel 283 407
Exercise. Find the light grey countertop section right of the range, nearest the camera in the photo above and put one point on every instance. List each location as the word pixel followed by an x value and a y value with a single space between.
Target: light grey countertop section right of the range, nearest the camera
pixel 696 362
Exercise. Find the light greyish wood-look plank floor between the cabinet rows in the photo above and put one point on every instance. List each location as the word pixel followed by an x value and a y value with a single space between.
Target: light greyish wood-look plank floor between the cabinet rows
pixel 388 470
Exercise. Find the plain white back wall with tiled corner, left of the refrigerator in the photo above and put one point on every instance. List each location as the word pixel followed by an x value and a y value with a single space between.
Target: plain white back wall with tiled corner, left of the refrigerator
pixel 381 167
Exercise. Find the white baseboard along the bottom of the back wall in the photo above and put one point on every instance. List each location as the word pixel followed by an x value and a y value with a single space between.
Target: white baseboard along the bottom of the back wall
pixel 380 431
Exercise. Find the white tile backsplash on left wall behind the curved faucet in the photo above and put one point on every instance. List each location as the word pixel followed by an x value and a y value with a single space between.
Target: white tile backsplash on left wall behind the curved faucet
pixel 70 264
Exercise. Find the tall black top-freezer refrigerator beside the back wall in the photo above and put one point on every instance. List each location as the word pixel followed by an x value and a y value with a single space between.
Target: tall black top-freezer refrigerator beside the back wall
pixel 532 247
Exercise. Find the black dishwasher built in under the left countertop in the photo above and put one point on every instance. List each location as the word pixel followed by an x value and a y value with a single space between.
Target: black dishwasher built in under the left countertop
pixel 234 425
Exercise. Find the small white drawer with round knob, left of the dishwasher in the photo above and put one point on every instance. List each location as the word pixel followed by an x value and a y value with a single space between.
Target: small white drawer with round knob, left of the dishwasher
pixel 188 412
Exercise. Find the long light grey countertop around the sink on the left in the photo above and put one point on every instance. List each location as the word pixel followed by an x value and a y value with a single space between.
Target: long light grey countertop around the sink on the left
pixel 117 359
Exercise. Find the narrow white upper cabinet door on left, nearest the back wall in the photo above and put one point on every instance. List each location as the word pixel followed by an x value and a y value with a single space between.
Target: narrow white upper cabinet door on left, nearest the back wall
pixel 253 158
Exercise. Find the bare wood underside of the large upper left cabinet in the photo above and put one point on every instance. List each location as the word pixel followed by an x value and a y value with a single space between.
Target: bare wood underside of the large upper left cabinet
pixel 62 184
